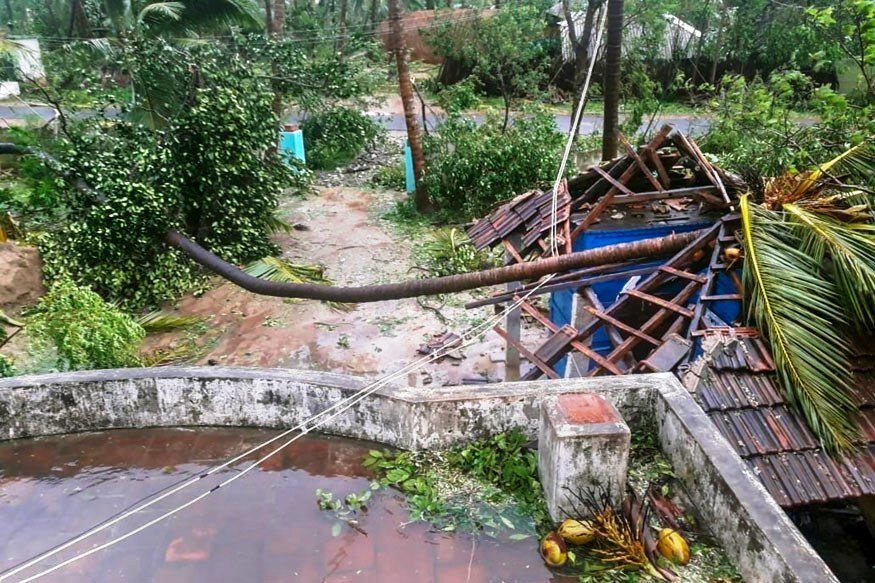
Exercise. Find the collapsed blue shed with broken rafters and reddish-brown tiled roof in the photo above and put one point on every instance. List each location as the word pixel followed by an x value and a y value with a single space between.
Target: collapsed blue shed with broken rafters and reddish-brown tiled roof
pixel 680 313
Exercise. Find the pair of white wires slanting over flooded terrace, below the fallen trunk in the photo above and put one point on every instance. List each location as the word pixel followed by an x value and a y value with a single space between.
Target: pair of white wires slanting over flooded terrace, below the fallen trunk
pixel 341 407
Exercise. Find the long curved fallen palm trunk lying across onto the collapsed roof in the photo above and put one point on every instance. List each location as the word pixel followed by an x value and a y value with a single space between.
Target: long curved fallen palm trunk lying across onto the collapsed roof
pixel 439 285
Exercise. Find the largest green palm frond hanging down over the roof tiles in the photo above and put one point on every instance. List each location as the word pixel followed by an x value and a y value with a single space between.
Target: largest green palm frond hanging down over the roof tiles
pixel 795 307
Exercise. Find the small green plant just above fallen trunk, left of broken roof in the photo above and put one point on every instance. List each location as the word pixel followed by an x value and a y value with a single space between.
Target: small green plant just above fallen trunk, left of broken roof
pixel 448 251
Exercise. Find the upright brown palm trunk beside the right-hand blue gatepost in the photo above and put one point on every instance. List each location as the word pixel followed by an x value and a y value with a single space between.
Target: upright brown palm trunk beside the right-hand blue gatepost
pixel 423 204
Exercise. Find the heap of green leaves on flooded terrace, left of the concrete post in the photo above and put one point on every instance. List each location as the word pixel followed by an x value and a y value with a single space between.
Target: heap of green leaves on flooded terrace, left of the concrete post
pixel 488 486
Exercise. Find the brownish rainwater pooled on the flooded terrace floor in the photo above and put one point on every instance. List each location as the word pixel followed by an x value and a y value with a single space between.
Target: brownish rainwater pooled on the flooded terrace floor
pixel 264 527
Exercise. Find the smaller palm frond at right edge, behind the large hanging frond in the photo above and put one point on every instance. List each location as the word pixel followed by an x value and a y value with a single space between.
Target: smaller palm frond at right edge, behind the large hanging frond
pixel 851 248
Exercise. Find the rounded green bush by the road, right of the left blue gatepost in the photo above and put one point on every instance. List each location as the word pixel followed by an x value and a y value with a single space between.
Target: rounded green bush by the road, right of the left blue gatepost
pixel 335 137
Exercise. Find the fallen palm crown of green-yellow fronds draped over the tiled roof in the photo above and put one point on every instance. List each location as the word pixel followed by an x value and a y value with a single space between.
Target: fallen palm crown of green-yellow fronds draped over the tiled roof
pixel 810 272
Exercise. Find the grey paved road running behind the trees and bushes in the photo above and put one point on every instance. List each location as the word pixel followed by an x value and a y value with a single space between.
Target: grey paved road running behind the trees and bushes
pixel 395 122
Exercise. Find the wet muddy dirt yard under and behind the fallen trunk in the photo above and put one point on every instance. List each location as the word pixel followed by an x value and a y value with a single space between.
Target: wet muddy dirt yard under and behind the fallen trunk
pixel 345 234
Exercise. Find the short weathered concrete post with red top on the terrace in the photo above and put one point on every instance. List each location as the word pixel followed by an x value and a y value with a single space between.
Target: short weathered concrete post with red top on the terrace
pixel 583 443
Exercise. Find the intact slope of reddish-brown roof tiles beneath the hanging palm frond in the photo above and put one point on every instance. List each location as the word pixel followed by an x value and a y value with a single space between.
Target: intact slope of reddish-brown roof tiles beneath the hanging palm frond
pixel 739 391
